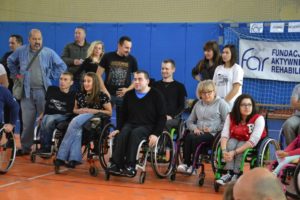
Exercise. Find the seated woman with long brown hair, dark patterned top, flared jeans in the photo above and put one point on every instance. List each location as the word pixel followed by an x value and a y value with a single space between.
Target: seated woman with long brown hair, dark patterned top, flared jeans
pixel 90 101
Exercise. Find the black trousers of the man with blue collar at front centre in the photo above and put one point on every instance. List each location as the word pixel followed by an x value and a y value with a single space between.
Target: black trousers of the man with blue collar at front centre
pixel 126 144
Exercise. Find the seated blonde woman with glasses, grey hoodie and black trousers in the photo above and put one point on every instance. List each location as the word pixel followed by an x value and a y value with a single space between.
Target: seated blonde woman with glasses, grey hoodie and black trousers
pixel 206 119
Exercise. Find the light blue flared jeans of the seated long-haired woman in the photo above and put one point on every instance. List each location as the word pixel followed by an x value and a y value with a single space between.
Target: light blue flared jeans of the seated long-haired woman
pixel 70 148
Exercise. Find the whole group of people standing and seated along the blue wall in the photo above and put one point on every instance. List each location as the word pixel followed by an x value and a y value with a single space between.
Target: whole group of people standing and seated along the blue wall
pixel 142 110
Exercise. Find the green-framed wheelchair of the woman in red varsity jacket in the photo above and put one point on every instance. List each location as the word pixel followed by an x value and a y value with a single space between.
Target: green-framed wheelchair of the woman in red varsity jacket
pixel 260 156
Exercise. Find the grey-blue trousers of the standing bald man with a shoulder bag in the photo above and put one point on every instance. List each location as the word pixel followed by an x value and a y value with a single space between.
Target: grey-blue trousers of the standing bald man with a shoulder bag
pixel 31 107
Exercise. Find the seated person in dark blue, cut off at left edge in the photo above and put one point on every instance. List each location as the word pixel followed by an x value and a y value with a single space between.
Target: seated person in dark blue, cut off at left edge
pixel 7 100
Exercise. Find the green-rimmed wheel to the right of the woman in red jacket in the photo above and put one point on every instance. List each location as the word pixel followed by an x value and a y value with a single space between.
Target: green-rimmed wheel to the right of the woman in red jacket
pixel 266 151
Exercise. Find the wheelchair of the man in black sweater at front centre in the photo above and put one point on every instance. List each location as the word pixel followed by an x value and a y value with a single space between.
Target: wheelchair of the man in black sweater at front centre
pixel 160 156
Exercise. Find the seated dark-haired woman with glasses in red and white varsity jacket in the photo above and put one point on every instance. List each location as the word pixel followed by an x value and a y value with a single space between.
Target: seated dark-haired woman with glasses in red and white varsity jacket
pixel 243 129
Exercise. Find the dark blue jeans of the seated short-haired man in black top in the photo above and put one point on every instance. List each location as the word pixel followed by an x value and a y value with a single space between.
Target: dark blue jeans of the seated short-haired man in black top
pixel 47 127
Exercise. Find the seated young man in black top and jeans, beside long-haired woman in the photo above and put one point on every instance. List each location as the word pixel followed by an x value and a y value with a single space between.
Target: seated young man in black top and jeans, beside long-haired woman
pixel 58 107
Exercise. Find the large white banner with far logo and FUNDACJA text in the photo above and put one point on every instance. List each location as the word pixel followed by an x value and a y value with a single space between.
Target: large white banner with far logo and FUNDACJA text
pixel 270 60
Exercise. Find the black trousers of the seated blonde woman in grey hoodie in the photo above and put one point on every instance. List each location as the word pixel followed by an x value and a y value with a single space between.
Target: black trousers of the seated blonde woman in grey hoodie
pixel 191 141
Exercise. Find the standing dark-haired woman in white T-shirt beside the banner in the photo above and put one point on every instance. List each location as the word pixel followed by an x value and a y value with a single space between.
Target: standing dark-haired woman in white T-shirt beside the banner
pixel 229 76
